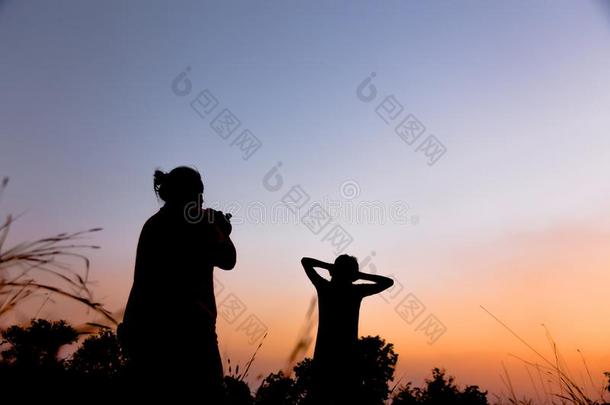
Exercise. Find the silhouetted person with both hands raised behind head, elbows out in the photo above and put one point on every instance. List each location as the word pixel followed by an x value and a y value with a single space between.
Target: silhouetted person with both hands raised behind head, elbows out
pixel 335 365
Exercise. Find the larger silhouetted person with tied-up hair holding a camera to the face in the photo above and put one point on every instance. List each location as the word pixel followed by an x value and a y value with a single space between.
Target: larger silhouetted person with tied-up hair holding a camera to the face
pixel 169 328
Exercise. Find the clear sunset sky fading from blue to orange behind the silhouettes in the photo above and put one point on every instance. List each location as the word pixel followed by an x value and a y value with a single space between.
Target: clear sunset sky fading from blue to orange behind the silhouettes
pixel 514 216
